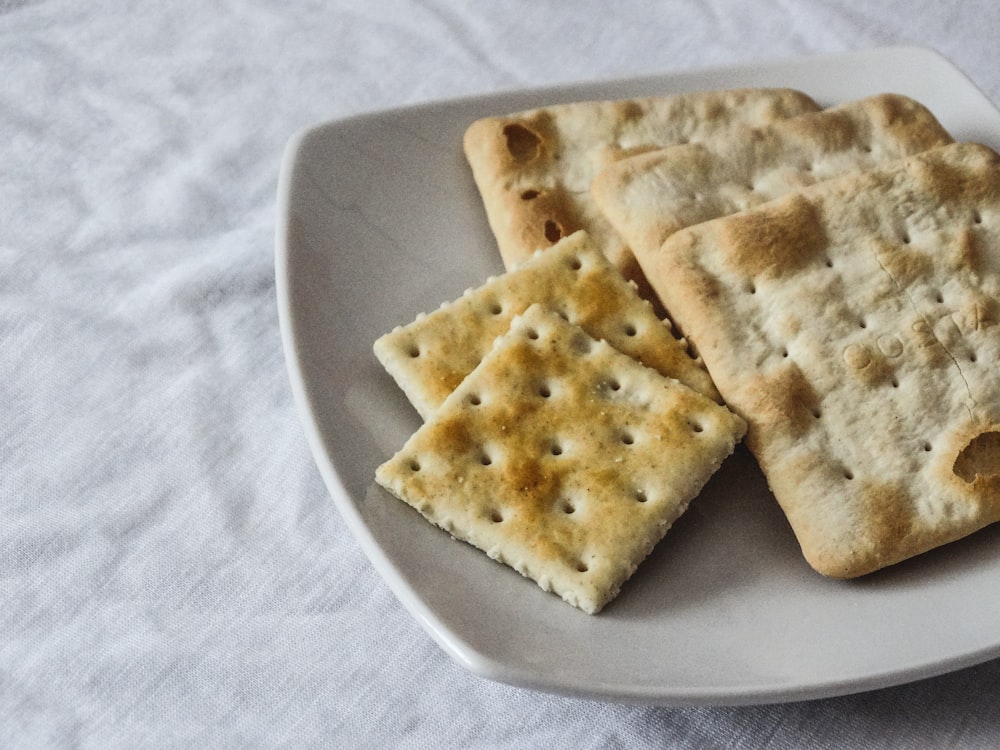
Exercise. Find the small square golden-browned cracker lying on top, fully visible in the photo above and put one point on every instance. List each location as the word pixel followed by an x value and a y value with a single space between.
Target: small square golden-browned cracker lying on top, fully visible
pixel 562 458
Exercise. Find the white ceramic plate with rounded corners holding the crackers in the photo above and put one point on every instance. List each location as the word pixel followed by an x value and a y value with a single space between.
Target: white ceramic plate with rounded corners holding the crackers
pixel 379 220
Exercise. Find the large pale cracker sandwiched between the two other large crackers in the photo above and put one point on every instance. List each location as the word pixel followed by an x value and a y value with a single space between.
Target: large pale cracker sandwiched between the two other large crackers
pixel 648 197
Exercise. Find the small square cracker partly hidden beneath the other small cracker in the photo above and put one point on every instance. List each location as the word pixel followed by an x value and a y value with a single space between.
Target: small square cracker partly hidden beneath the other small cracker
pixel 429 357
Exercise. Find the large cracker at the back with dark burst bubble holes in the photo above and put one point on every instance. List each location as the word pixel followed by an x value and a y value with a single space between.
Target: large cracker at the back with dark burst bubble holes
pixel 534 168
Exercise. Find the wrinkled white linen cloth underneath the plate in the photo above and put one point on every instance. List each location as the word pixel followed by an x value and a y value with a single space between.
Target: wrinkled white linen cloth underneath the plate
pixel 172 570
